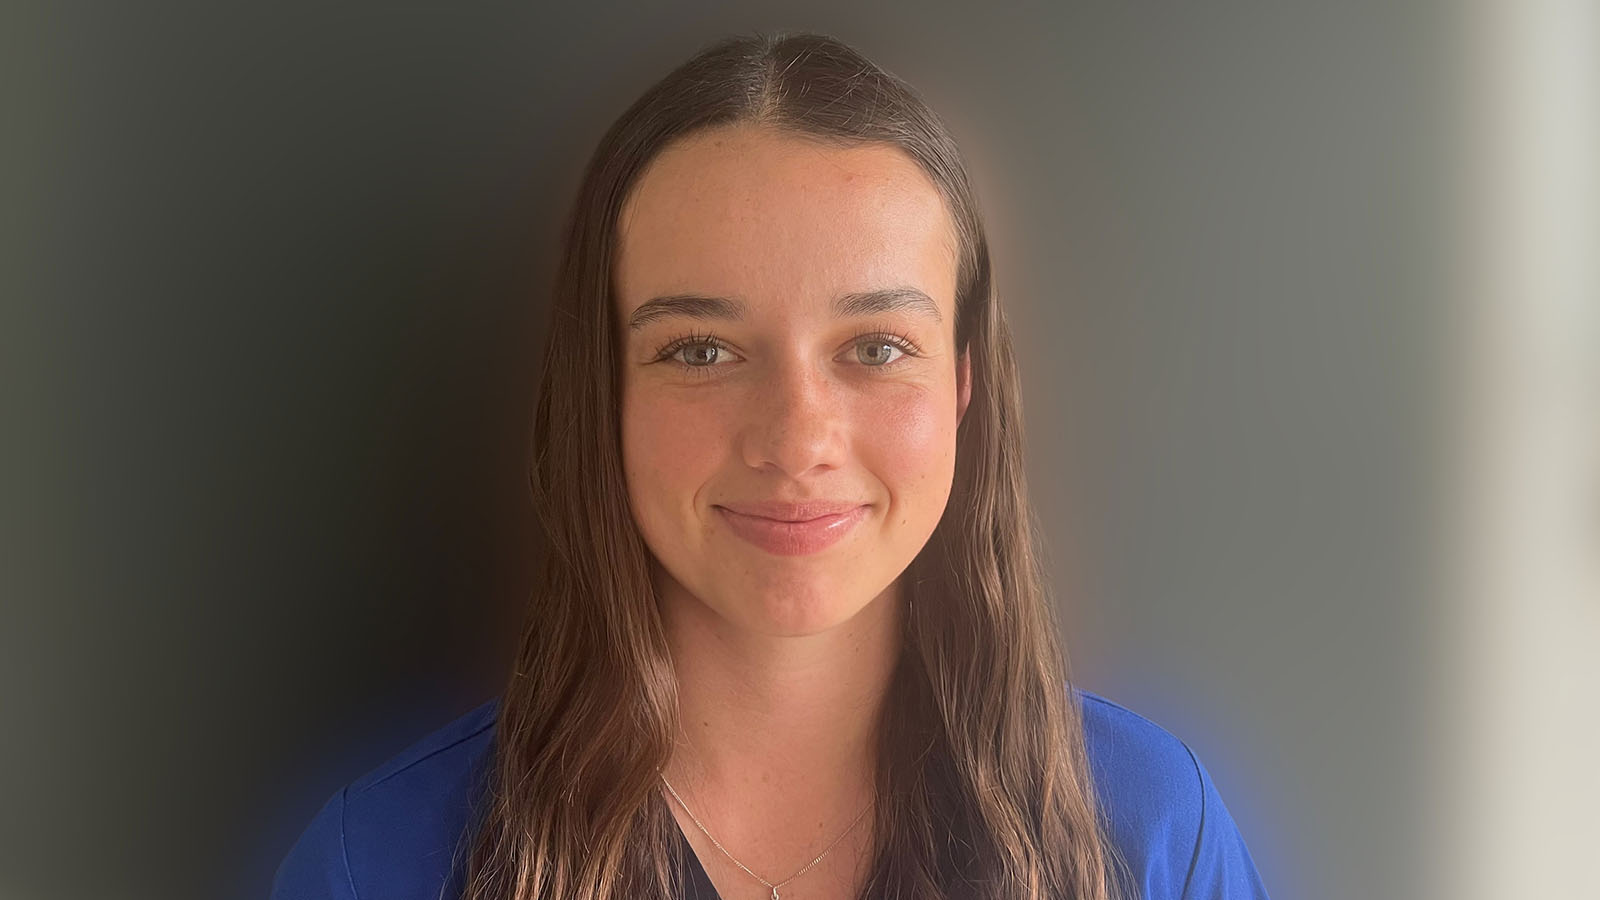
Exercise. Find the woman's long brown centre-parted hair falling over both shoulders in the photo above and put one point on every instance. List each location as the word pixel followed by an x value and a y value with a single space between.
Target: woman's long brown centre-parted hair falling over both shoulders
pixel 983 785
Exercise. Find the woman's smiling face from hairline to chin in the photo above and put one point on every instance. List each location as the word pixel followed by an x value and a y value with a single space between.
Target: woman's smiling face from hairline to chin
pixel 791 385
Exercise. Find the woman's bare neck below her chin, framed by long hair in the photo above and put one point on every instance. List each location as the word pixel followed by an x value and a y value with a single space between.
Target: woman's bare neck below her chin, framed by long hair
pixel 775 718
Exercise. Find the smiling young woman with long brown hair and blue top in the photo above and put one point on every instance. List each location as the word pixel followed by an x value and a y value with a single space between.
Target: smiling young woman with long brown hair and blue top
pixel 790 638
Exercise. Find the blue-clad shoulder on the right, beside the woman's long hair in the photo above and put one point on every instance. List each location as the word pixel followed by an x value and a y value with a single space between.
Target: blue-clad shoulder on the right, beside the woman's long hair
pixel 1164 813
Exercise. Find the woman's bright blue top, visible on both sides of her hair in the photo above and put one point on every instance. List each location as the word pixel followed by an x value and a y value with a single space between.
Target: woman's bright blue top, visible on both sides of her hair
pixel 396 834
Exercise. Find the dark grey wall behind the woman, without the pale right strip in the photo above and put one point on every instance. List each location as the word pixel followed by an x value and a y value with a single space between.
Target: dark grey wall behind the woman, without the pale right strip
pixel 281 276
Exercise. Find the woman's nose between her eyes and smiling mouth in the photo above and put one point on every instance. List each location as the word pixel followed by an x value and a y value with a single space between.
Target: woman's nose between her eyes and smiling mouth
pixel 796 422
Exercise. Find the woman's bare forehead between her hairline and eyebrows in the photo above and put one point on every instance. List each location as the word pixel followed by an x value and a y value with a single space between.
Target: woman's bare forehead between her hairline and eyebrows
pixel 783 220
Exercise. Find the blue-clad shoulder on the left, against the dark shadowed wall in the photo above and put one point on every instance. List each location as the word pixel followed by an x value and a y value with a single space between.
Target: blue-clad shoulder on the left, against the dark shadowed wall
pixel 396 834
